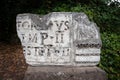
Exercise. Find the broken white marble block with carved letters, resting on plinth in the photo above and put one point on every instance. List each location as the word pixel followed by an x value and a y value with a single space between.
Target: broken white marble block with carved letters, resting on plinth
pixel 59 38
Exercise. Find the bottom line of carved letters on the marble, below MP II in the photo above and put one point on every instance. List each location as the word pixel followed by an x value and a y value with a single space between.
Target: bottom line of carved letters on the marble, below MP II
pixel 46 51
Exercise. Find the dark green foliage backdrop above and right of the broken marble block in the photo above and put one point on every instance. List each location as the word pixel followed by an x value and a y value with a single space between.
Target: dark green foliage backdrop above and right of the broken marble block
pixel 106 16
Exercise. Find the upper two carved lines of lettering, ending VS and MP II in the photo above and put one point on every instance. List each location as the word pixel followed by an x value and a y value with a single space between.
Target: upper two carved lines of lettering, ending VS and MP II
pixel 34 37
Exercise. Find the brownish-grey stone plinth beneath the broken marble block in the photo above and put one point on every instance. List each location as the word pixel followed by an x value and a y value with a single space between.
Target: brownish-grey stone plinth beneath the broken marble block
pixel 64 73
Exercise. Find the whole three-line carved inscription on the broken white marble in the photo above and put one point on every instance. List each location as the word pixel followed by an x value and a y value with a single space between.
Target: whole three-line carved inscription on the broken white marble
pixel 51 44
